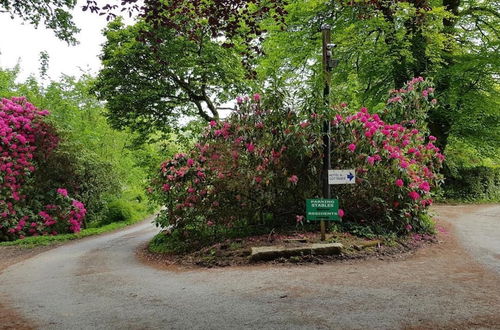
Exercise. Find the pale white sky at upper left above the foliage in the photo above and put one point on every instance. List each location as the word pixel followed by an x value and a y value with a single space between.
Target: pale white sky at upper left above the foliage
pixel 22 42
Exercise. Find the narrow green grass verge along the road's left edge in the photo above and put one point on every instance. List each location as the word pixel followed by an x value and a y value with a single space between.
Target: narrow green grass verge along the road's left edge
pixel 31 242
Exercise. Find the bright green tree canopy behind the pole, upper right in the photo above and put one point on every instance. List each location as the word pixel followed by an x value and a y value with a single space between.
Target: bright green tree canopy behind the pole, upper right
pixel 380 45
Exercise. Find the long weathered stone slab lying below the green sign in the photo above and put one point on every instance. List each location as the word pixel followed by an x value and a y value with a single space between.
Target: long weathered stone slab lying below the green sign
pixel 274 252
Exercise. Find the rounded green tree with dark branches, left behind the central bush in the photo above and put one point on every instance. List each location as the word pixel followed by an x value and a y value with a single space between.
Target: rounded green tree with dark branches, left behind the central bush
pixel 151 88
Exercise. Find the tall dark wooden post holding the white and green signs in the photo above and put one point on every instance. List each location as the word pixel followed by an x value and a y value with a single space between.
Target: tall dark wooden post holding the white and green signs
pixel 327 60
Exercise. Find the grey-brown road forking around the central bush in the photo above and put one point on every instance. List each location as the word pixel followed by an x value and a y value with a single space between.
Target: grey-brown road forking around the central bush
pixel 99 284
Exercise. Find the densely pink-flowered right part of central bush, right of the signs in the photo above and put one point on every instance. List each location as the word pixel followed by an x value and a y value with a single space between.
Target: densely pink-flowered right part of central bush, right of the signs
pixel 392 152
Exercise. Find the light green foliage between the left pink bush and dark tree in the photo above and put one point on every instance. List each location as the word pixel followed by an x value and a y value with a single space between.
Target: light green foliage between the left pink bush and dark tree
pixel 96 163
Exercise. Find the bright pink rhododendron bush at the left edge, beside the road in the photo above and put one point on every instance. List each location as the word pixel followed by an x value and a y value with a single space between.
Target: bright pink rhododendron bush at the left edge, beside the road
pixel 26 141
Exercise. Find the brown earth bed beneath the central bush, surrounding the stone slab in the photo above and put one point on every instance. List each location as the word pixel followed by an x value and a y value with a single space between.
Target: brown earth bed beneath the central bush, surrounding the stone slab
pixel 236 252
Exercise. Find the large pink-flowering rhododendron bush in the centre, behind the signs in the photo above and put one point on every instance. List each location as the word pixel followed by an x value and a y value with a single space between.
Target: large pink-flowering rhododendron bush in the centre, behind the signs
pixel 259 165
